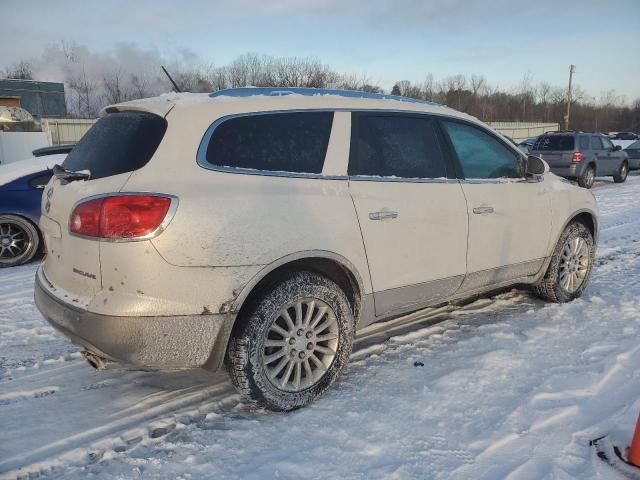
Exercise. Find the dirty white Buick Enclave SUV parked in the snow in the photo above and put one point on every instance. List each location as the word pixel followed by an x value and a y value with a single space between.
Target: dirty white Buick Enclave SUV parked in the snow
pixel 261 228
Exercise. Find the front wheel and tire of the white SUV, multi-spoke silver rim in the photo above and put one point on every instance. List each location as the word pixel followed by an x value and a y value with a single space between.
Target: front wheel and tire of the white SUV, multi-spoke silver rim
pixel 570 268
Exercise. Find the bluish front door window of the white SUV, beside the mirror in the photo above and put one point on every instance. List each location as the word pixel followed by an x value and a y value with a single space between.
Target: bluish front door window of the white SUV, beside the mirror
pixel 480 154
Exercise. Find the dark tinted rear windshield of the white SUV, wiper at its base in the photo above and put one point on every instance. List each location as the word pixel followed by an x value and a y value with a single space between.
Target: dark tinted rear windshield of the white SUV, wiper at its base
pixel 118 143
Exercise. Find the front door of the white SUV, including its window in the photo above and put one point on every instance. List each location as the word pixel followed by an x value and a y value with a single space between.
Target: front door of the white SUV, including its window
pixel 509 216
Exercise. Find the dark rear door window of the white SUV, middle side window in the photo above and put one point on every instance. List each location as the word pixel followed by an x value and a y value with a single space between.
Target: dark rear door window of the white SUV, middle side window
pixel 395 146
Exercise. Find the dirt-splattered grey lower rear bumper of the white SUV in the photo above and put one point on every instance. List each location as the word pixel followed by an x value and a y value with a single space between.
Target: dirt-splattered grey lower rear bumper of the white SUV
pixel 166 342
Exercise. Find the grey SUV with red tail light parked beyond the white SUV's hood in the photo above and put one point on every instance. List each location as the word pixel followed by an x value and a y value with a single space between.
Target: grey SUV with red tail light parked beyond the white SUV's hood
pixel 582 156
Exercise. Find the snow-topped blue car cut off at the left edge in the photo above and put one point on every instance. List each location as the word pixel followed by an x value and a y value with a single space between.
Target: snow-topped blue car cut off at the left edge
pixel 21 187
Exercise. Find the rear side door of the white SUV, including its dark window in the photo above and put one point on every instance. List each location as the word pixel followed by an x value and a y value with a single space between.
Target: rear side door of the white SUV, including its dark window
pixel 412 217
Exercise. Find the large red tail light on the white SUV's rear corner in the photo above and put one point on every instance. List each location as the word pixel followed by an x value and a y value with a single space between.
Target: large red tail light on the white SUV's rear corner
pixel 120 216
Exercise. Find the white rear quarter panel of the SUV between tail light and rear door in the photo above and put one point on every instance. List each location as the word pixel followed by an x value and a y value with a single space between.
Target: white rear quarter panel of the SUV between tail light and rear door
pixel 230 219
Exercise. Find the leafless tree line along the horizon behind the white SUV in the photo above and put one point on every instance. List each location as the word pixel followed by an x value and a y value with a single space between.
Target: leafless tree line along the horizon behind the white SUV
pixel 90 90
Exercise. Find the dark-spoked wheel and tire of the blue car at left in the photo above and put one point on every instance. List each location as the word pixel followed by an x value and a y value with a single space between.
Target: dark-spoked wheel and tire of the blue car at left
pixel 19 240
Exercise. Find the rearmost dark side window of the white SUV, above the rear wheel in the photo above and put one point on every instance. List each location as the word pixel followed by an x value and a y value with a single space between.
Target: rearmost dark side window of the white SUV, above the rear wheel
pixel 278 142
